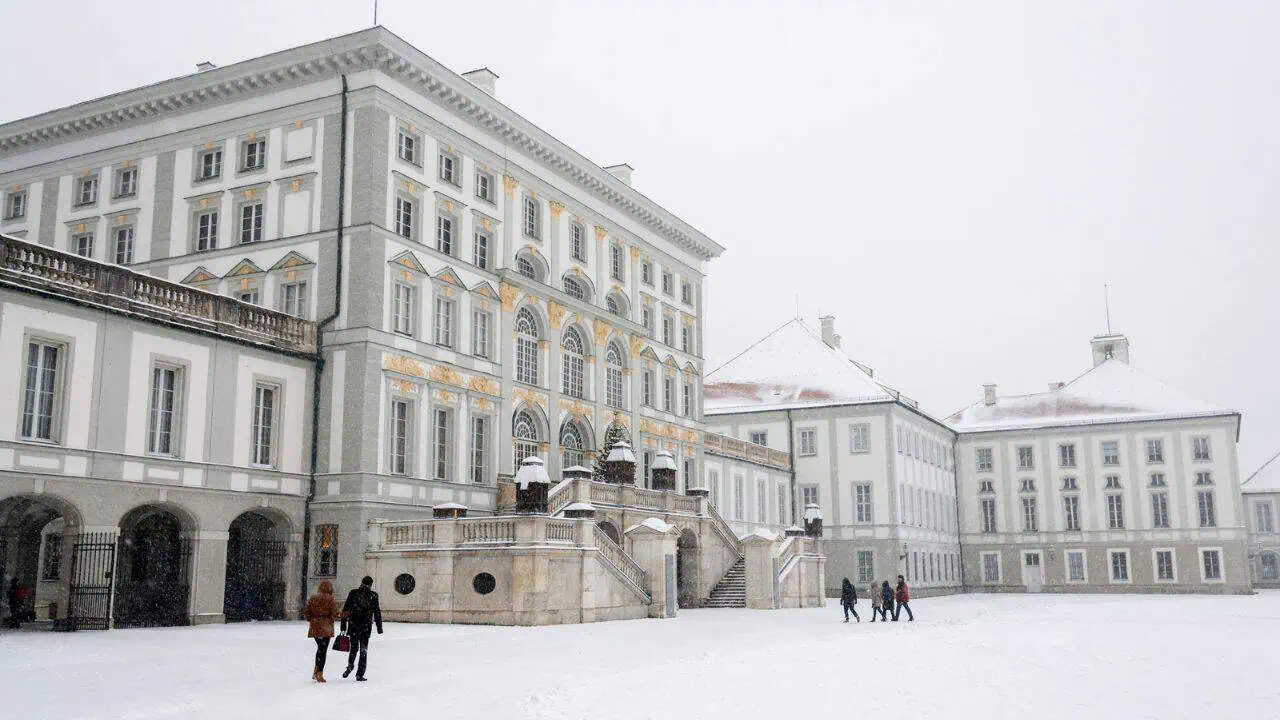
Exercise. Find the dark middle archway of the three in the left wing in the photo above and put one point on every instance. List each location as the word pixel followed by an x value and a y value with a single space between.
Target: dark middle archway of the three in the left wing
pixel 153 582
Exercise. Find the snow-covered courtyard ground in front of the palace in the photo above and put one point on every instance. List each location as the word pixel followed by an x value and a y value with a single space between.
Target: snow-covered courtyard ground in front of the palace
pixel 968 657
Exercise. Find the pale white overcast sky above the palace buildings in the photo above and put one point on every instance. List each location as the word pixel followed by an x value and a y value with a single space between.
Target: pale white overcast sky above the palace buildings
pixel 954 181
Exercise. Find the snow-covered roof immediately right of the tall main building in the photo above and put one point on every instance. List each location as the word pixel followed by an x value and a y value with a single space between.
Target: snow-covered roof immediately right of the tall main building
pixel 790 368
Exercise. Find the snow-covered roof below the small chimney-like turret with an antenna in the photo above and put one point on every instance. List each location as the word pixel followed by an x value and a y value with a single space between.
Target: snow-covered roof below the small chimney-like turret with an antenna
pixel 1112 393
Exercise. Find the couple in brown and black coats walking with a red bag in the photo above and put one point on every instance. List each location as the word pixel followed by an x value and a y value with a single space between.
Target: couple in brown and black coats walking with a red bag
pixel 358 618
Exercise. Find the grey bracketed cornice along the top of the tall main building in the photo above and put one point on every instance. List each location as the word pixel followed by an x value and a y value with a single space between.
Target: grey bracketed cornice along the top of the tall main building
pixel 376 49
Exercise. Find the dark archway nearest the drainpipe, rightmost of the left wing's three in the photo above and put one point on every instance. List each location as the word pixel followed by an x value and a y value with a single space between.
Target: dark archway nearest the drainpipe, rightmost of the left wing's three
pixel 258 553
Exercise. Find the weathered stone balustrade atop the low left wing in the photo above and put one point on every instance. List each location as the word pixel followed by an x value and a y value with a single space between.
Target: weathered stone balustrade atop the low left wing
pixel 112 288
